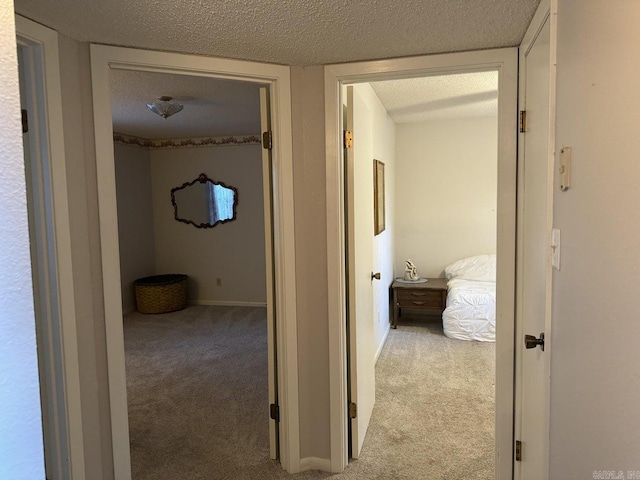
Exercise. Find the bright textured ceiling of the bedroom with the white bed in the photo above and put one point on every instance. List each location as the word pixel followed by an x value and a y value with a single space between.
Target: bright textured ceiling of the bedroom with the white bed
pixel 443 97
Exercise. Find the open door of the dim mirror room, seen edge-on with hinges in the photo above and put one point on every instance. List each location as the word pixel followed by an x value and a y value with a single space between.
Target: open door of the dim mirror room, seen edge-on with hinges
pixel 267 182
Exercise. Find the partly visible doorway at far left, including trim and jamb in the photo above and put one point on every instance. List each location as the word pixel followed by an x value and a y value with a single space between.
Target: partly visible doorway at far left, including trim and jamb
pixel 50 239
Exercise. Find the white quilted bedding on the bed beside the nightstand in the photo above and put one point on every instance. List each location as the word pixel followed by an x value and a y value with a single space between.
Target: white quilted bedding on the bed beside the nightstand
pixel 471 310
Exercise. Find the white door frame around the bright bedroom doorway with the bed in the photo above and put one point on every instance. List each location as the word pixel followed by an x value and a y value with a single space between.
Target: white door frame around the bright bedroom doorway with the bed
pixel 505 62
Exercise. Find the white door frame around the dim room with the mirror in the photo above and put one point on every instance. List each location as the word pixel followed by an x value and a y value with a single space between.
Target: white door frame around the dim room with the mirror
pixel 104 58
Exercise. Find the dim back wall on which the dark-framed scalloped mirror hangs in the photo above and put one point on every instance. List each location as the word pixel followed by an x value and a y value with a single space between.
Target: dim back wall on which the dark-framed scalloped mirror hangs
pixel 234 251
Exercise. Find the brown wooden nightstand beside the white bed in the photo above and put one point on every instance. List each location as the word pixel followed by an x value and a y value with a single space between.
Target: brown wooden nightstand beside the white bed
pixel 430 295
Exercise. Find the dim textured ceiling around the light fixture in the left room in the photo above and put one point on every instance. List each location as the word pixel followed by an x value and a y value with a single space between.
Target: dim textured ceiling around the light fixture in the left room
pixel 212 107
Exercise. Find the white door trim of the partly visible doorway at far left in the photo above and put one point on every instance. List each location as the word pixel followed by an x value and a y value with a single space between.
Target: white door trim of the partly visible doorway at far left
pixel 46 40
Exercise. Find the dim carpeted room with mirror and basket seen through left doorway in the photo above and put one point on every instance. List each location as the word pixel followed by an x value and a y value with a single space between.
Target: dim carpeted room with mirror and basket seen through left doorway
pixel 204 368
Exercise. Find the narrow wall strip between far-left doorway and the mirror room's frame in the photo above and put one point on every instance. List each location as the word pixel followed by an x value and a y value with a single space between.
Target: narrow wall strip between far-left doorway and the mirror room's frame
pixel 82 185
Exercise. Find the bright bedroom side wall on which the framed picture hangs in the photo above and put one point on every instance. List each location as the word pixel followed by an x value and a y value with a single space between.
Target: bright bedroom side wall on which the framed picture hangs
pixel 382 148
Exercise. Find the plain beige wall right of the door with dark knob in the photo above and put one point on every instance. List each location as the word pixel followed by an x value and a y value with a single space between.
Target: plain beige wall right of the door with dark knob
pixel 595 357
